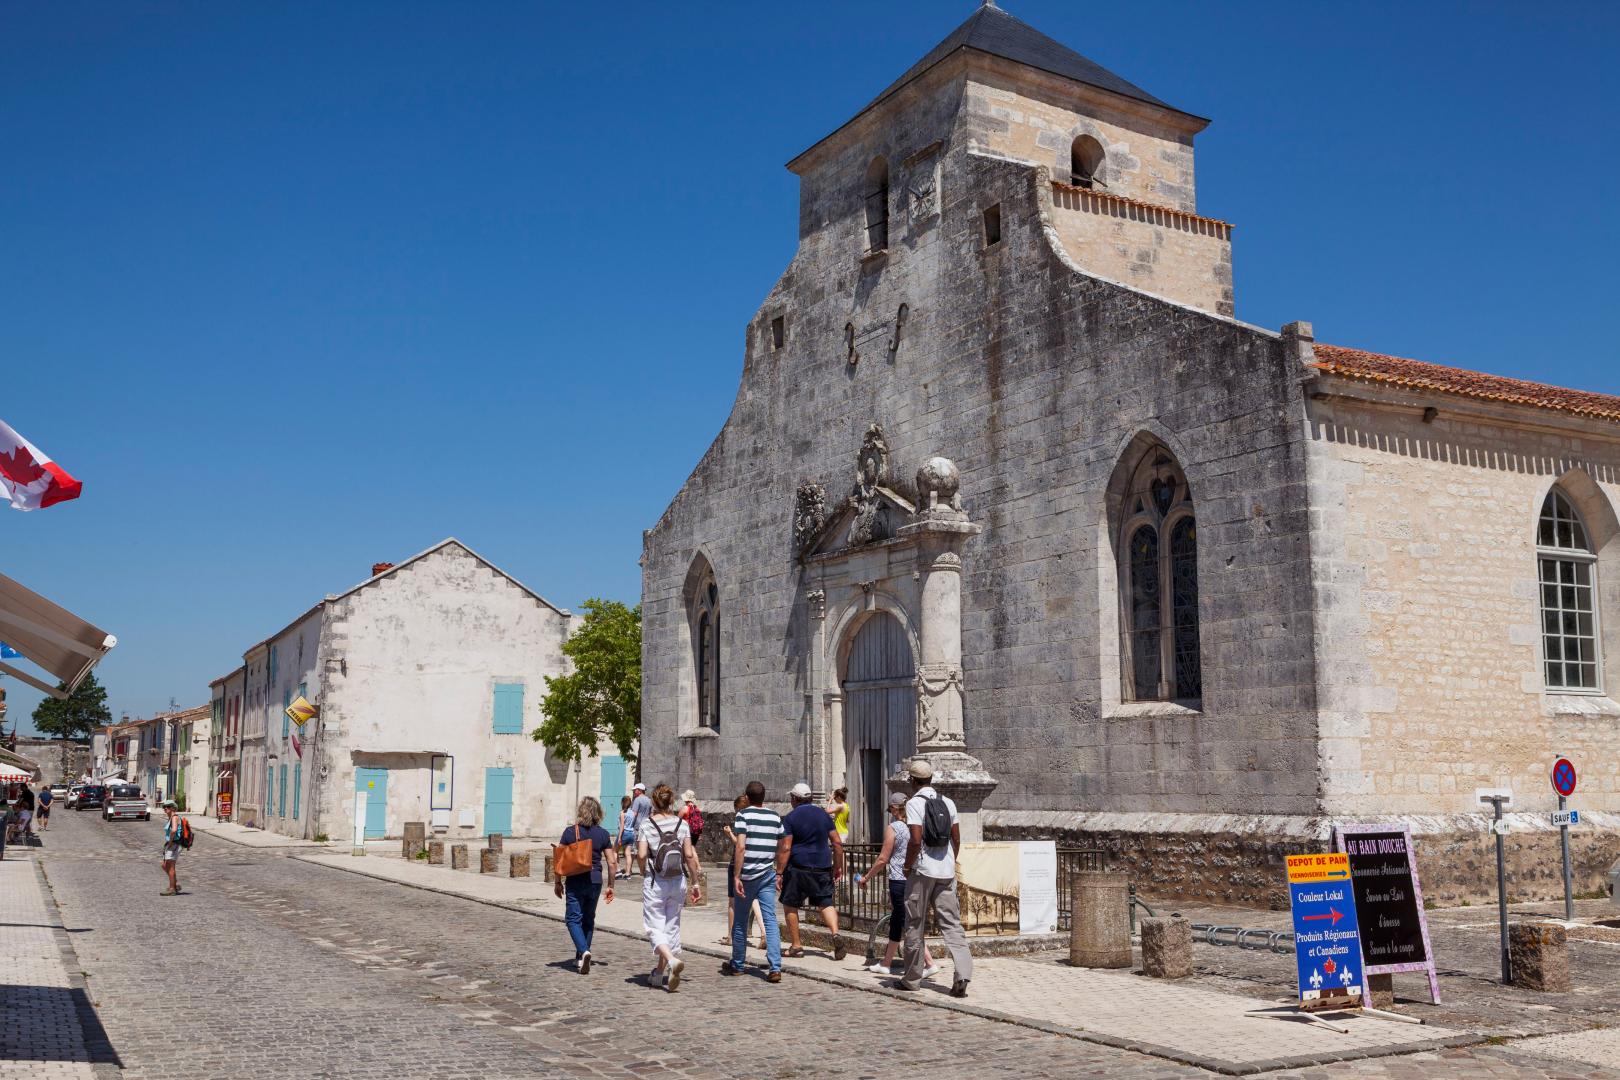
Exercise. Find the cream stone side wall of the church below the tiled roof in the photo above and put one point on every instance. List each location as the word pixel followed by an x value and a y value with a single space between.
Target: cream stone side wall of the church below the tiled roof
pixel 1430 610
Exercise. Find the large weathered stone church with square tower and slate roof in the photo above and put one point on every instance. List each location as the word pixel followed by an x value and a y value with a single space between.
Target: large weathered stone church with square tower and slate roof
pixel 1007 485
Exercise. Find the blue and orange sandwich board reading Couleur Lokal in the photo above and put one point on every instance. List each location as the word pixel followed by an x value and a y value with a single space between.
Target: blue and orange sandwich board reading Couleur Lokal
pixel 1328 945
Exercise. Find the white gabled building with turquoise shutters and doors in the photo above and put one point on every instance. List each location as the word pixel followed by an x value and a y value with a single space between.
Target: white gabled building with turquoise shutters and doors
pixel 428 679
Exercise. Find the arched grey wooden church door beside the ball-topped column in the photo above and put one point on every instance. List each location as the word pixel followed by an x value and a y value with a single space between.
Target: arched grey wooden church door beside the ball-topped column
pixel 880 718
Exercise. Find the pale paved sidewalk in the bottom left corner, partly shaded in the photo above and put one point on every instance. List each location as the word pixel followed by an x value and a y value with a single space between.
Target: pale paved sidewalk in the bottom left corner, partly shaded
pixel 41 1032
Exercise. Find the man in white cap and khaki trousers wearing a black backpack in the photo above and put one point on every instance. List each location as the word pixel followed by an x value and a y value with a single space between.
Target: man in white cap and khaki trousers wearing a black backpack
pixel 931 882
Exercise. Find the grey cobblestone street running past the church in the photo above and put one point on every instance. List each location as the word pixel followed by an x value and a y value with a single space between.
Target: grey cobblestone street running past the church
pixel 273 967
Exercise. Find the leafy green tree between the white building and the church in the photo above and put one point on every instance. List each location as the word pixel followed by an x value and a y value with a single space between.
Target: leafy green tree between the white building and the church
pixel 602 697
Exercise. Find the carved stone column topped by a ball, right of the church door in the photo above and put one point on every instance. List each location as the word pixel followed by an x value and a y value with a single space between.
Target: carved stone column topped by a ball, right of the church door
pixel 940 529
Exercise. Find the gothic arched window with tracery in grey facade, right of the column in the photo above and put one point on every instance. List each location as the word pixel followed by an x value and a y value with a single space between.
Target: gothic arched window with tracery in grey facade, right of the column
pixel 1159 577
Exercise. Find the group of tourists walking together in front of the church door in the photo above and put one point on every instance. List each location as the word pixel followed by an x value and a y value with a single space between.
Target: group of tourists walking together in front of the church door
pixel 795 859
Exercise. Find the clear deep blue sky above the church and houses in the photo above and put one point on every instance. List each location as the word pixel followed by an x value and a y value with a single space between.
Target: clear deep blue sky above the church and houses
pixel 299 287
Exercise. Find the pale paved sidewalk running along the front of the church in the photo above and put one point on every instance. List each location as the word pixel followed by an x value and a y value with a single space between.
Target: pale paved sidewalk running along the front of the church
pixel 1175 1021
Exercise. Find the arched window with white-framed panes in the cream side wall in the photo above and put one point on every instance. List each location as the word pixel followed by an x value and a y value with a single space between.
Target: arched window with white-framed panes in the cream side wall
pixel 1569 590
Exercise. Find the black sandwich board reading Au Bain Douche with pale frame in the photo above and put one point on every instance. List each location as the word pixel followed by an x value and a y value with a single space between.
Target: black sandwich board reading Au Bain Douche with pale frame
pixel 1389 901
